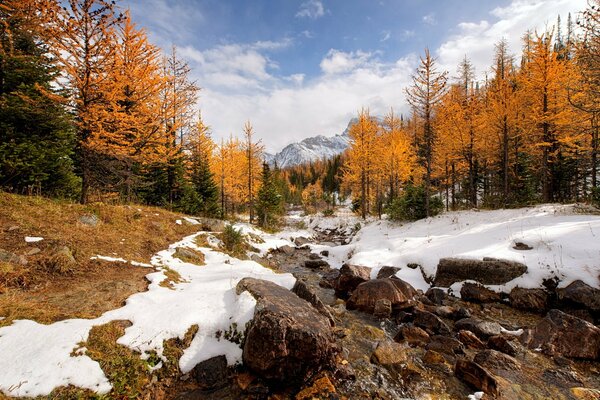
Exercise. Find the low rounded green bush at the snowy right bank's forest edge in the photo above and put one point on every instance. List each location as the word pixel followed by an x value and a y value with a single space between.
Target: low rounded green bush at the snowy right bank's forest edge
pixel 411 205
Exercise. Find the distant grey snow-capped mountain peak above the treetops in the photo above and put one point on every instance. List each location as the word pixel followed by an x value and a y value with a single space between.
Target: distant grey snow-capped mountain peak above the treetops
pixel 311 149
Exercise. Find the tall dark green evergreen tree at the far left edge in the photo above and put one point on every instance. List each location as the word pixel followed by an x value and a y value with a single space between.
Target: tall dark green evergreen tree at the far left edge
pixel 36 133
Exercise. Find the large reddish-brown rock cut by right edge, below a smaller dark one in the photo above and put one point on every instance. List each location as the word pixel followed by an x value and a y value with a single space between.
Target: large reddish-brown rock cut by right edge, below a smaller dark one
pixel 563 334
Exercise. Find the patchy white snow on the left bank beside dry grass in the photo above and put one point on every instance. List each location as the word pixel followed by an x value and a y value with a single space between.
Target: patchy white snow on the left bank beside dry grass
pixel 37 358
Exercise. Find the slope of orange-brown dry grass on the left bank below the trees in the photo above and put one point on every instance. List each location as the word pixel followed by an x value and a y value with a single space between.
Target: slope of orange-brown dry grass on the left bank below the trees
pixel 50 287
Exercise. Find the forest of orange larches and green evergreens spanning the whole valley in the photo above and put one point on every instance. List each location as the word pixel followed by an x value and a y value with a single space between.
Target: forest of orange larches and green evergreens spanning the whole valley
pixel 91 110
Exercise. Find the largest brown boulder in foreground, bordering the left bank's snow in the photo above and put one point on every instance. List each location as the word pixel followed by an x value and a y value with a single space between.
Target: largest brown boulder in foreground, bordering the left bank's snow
pixel 287 339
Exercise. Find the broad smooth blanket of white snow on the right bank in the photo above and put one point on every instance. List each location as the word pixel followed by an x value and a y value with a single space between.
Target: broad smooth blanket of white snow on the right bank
pixel 566 243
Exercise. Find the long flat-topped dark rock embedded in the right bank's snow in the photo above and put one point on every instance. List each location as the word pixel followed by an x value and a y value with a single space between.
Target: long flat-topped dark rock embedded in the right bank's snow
pixel 488 271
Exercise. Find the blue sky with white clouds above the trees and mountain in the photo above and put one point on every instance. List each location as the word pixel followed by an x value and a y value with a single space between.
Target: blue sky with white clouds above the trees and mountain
pixel 298 68
